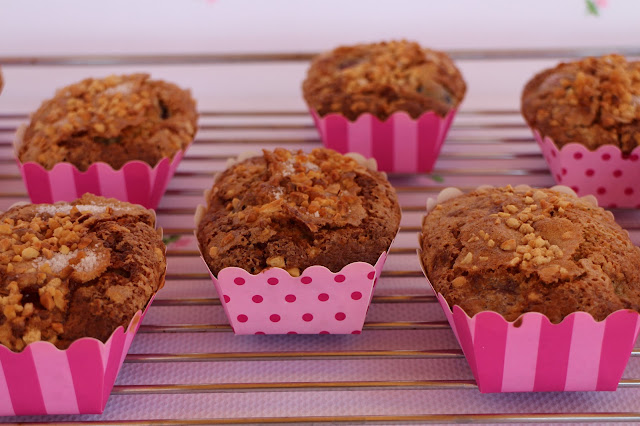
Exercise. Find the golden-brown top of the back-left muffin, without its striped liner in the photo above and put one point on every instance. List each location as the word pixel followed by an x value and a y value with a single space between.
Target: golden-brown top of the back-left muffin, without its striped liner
pixel 113 120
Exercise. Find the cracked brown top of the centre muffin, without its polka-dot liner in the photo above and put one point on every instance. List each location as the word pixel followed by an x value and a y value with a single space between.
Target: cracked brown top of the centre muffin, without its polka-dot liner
pixel 293 210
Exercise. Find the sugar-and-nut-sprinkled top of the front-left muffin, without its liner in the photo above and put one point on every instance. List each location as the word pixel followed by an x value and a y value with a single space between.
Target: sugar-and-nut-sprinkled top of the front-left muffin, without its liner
pixel 73 270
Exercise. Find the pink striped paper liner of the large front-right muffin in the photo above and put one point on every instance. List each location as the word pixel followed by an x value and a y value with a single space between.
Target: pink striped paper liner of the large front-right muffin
pixel 532 354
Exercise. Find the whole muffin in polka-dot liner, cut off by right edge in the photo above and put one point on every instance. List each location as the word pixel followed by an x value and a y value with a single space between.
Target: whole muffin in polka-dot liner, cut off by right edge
pixel 585 117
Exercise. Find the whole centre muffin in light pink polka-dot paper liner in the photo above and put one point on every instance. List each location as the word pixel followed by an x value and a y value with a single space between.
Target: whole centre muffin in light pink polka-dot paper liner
pixel 295 241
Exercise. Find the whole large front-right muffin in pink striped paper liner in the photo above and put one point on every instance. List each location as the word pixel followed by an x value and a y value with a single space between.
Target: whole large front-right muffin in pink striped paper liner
pixel 540 287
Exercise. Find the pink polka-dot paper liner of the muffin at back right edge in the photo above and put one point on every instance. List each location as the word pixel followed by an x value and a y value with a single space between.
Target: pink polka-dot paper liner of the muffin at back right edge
pixel 605 173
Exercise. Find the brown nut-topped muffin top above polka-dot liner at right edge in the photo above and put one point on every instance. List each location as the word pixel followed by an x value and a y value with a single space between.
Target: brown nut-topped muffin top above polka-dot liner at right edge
pixel 594 101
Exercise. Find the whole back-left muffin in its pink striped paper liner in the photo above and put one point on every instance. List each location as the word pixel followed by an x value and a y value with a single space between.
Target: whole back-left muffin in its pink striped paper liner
pixel 120 137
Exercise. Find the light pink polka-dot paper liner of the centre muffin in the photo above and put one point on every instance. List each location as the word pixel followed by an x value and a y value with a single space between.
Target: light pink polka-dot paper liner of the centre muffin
pixel 313 300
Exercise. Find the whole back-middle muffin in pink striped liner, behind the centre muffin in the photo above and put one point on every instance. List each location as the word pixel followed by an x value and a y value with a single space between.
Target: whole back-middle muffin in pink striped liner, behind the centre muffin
pixel 393 101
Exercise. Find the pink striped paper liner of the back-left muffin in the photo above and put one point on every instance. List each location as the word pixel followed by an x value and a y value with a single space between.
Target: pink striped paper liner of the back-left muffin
pixel 136 182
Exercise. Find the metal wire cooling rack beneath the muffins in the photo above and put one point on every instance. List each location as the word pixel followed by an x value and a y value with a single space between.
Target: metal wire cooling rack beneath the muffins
pixel 187 367
